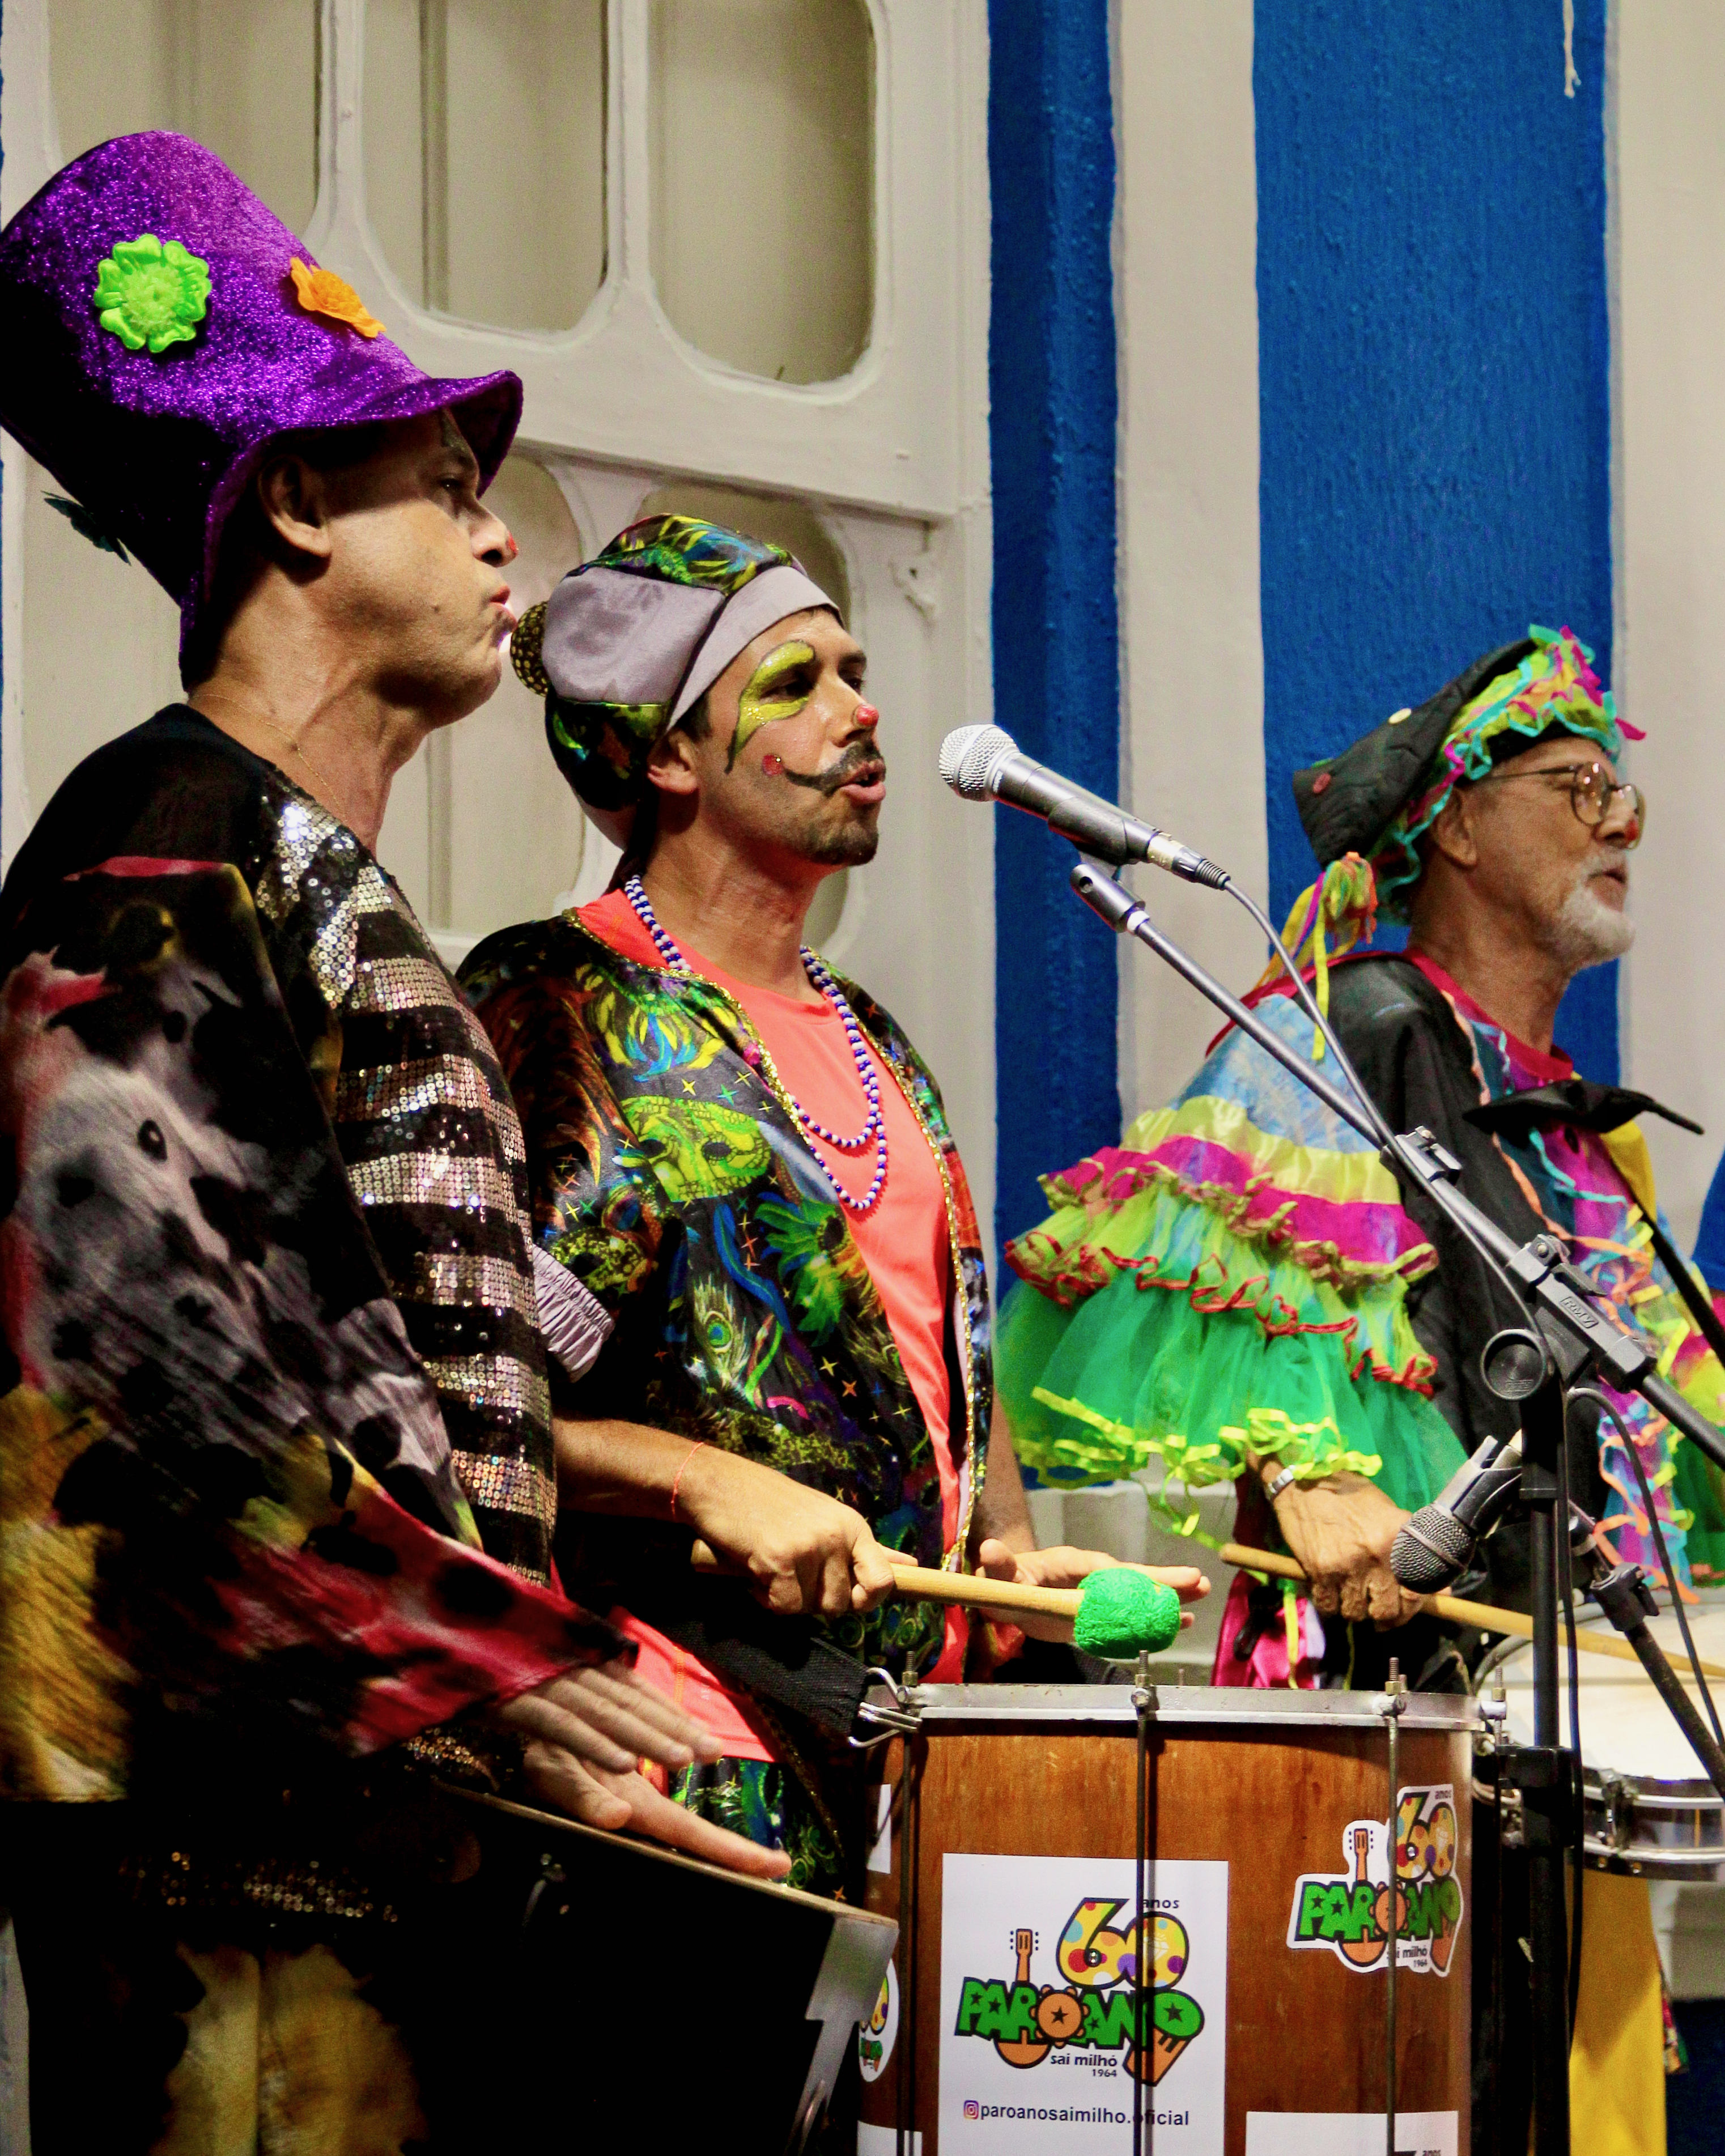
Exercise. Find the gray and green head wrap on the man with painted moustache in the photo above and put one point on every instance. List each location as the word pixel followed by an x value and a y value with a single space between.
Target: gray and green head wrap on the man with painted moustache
pixel 631 641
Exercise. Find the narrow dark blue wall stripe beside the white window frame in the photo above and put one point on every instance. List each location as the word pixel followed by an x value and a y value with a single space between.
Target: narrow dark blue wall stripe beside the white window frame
pixel 1051 376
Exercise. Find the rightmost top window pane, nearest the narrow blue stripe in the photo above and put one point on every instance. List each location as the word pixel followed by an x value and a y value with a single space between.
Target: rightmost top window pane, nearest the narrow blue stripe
pixel 764 182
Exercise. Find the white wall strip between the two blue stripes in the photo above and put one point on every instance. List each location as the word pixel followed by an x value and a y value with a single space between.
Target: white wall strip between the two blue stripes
pixel 1187 299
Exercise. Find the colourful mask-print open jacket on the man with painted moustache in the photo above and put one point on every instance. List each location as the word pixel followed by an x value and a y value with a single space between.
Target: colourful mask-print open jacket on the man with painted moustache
pixel 672 1178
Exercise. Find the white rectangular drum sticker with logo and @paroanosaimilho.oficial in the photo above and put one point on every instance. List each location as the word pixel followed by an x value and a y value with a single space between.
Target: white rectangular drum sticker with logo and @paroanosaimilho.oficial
pixel 1038 1972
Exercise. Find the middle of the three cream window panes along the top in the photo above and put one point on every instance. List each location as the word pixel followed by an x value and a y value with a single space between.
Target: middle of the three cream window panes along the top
pixel 484 154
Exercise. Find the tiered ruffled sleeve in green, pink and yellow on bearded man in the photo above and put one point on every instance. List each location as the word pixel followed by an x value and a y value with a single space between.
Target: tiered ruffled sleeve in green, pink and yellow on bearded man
pixel 1215 1288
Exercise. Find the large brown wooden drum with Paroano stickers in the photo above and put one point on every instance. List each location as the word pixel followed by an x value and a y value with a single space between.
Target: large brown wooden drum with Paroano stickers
pixel 1008 1840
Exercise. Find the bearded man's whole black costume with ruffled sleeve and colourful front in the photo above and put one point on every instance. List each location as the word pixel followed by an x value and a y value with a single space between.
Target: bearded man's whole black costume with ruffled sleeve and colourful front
pixel 1245 1273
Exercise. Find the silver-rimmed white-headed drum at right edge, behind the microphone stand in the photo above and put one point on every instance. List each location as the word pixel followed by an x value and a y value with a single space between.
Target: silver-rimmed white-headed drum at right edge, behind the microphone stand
pixel 1651 1808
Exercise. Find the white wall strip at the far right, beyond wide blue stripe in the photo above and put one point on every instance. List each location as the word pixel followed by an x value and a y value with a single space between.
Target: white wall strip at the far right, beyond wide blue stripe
pixel 1670 471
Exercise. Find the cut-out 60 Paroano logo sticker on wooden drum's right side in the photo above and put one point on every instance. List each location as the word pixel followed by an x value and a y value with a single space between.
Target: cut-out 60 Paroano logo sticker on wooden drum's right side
pixel 1347 1913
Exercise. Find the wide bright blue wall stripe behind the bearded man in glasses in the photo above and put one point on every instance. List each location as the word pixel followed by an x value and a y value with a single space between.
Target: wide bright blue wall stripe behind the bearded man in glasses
pixel 1433 372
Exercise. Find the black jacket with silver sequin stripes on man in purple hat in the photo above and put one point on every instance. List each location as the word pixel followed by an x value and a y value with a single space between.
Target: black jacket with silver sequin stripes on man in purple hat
pixel 273 1379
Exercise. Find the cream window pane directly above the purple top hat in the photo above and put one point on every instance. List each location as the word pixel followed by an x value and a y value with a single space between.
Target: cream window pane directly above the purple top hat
pixel 243 81
